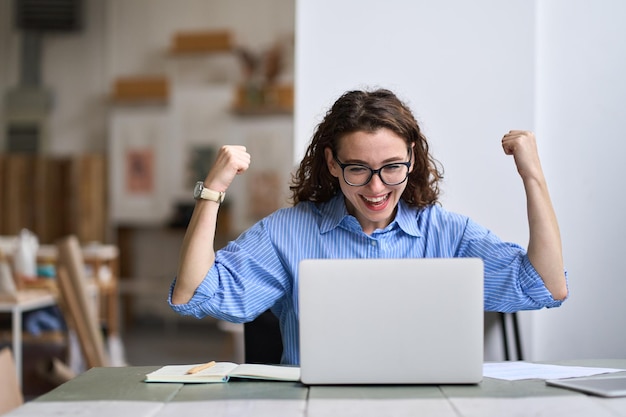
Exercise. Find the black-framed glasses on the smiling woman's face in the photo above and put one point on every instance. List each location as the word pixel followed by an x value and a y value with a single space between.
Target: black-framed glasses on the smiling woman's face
pixel 359 175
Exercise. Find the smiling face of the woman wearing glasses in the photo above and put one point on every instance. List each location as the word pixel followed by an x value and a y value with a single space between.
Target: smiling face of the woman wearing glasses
pixel 373 204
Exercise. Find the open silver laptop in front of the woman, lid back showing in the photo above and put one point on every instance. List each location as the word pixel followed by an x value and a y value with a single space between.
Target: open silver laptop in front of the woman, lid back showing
pixel 391 321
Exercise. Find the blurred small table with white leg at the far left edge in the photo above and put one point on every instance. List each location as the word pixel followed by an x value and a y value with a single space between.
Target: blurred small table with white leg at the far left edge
pixel 25 301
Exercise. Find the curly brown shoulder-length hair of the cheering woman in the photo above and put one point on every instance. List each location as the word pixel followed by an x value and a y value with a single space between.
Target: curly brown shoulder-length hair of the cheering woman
pixel 366 111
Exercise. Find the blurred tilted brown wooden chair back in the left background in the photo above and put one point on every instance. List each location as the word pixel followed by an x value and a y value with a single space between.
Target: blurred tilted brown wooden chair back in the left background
pixel 80 312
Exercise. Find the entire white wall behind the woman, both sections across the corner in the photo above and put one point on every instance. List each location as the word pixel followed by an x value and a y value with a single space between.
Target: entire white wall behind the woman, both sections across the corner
pixel 472 71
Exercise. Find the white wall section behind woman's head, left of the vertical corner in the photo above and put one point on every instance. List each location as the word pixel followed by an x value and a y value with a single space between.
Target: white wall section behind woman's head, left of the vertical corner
pixel 467 77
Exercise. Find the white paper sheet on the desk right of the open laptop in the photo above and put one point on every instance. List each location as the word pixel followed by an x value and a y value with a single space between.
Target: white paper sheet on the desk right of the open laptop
pixel 512 371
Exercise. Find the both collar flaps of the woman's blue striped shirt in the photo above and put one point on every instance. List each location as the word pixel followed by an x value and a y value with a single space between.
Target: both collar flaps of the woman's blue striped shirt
pixel 334 213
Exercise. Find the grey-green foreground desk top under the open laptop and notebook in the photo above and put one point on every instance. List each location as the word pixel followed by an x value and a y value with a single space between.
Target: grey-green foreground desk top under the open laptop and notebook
pixel 120 391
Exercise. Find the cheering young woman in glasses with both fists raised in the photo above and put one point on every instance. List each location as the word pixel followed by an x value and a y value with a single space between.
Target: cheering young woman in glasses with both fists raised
pixel 366 188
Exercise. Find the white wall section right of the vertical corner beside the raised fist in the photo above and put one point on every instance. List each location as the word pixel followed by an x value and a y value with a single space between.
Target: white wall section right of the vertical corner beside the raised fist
pixel 580 111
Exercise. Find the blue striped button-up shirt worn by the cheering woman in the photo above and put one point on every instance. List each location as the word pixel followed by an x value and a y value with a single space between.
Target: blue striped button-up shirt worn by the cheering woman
pixel 259 270
